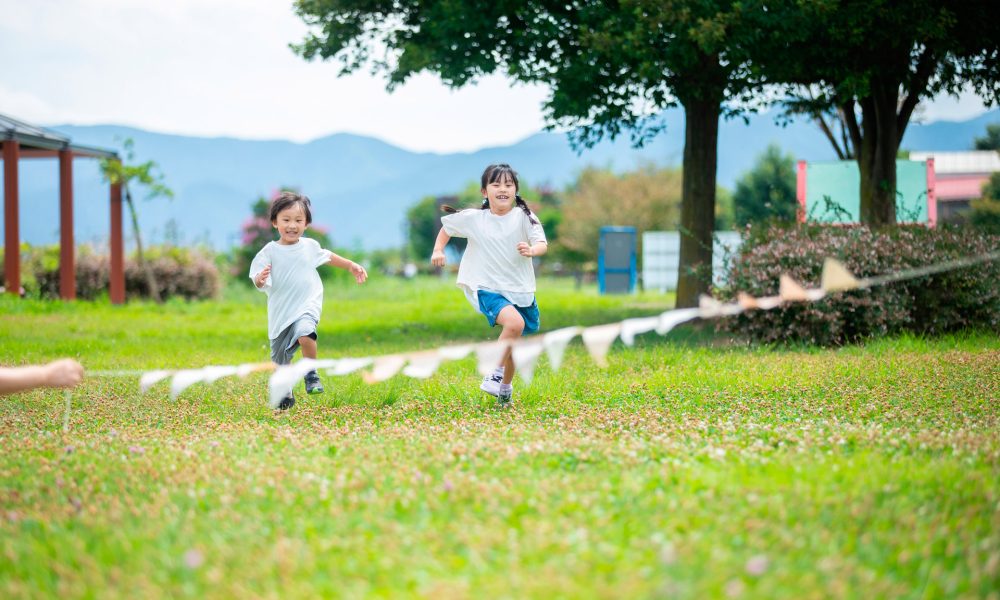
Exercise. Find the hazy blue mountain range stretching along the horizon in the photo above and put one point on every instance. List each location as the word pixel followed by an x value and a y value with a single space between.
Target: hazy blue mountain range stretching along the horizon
pixel 361 187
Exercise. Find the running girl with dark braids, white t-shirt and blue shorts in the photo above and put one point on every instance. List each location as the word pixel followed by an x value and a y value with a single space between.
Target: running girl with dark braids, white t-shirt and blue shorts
pixel 496 272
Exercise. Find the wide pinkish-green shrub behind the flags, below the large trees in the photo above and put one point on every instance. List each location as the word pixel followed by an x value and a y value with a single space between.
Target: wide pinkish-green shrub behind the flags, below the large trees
pixel 949 301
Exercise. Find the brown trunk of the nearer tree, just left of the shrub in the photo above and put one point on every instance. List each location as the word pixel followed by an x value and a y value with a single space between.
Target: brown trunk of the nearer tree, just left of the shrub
pixel 701 138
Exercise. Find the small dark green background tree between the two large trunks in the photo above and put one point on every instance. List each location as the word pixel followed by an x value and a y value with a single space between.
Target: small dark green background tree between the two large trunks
pixel 768 190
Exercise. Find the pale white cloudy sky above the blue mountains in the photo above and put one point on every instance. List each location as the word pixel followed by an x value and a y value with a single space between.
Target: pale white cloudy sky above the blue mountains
pixel 223 68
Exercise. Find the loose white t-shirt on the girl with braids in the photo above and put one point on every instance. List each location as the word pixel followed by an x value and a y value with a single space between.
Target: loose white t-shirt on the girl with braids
pixel 491 260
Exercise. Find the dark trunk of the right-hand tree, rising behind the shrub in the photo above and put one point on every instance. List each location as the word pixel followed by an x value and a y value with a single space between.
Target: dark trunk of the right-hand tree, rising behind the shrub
pixel 877 154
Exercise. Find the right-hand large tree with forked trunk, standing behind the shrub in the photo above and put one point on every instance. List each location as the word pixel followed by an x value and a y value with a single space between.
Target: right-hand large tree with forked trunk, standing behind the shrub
pixel 870 63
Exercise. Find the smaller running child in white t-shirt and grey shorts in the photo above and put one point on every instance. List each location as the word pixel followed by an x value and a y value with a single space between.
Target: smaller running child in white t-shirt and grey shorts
pixel 285 270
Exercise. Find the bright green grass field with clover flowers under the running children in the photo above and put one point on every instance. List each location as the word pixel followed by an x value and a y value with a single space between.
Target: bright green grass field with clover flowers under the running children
pixel 691 467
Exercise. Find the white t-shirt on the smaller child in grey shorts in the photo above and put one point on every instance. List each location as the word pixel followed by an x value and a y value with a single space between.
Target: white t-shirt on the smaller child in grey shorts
pixel 293 287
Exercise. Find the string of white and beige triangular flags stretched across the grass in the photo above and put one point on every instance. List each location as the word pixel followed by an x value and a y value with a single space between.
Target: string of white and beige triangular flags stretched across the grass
pixel 526 351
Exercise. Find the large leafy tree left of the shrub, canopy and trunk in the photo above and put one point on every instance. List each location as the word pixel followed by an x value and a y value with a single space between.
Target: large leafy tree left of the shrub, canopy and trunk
pixel 611 68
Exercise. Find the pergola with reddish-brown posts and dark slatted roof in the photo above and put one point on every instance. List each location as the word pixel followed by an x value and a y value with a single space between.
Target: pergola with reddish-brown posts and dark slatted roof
pixel 20 140
